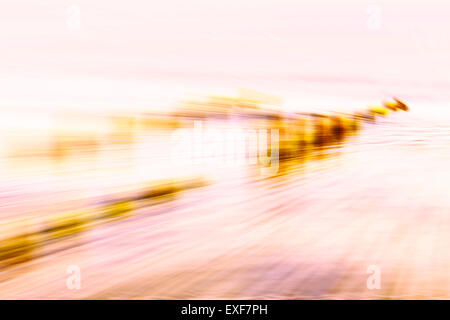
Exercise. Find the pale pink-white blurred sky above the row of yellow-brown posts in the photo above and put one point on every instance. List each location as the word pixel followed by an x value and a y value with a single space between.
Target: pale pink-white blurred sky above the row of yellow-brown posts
pixel 141 53
